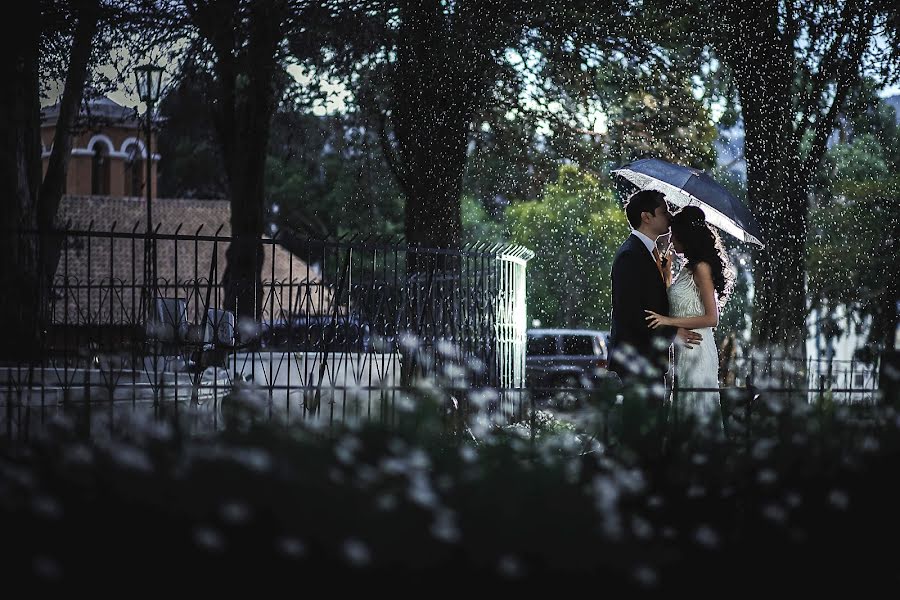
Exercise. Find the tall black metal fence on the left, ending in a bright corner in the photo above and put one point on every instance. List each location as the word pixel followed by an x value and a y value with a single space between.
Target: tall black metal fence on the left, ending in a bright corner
pixel 345 328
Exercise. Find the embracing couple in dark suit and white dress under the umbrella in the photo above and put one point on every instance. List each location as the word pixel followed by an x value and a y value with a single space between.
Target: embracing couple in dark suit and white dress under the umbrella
pixel 661 325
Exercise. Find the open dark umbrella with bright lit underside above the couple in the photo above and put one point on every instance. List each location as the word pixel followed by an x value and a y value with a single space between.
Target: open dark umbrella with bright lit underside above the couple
pixel 684 186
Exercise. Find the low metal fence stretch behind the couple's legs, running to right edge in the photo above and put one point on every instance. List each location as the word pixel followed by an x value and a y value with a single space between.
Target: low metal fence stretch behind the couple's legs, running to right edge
pixel 750 389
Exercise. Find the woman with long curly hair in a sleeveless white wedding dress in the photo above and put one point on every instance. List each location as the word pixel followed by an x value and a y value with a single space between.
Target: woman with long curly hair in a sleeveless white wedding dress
pixel 698 292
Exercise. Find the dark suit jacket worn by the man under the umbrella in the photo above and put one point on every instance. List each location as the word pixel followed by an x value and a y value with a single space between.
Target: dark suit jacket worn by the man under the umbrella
pixel 637 286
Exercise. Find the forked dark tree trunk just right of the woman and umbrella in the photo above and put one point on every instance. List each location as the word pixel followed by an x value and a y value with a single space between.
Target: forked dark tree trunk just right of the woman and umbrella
pixel 759 47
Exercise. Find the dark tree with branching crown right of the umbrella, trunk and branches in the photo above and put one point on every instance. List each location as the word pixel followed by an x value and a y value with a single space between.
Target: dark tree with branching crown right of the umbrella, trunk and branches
pixel 792 66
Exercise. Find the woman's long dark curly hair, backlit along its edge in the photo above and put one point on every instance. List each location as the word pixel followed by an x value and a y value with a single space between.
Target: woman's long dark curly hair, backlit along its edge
pixel 702 244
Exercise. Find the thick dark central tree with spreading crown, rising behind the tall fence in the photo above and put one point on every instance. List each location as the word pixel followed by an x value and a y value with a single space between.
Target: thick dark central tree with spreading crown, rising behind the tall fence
pixel 426 71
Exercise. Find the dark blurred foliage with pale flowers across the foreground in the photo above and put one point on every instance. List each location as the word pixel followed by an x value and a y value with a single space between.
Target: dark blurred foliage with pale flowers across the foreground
pixel 802 498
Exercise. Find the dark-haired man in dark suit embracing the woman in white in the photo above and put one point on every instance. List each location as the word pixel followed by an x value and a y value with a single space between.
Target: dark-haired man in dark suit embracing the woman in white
pixel 640 355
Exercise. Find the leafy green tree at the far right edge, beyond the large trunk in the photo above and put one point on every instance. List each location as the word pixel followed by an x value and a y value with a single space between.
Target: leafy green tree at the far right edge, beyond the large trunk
pixel 855 225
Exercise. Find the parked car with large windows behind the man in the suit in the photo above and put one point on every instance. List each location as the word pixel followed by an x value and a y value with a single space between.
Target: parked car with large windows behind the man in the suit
pixel 565 358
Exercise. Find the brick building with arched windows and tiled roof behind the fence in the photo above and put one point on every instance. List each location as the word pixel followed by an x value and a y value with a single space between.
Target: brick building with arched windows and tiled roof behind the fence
pixel 105 196
